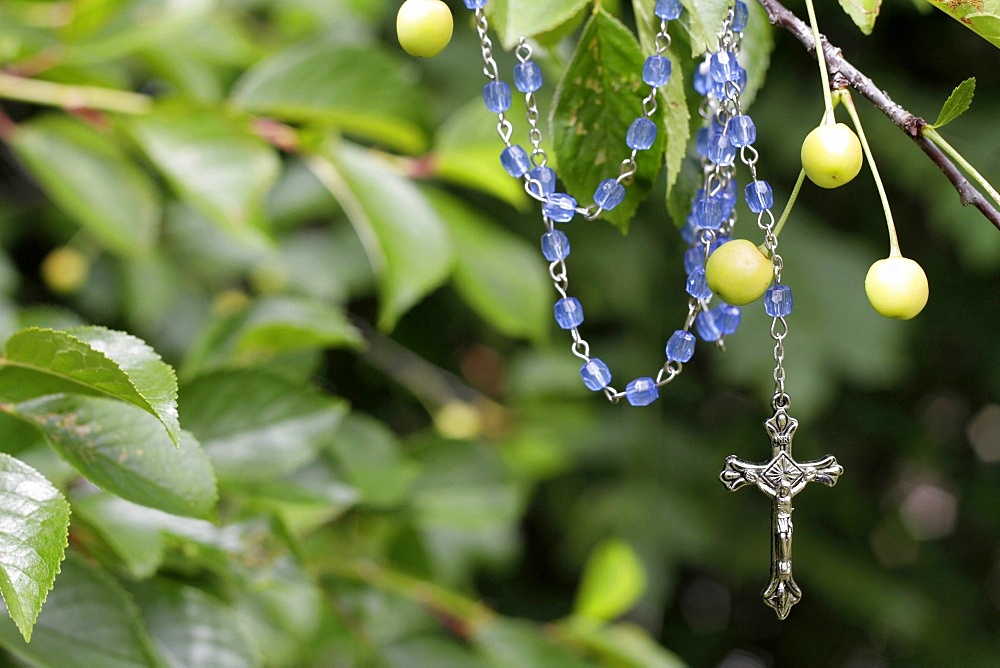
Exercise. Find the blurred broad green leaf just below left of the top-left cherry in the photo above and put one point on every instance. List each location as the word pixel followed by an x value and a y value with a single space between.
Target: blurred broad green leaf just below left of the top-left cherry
pixel 362 90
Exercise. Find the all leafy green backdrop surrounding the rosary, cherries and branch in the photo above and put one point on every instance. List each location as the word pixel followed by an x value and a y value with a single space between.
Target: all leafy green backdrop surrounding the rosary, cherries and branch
pixel 343 428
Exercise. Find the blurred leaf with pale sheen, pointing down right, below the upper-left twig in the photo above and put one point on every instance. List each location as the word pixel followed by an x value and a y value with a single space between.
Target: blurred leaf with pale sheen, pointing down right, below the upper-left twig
pixel 213 161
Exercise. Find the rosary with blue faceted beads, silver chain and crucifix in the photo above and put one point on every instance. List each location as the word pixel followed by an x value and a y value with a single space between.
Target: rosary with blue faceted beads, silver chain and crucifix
pixel 727 133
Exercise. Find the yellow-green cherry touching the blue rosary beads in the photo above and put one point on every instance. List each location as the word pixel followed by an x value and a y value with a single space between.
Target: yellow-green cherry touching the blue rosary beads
pixel 738 272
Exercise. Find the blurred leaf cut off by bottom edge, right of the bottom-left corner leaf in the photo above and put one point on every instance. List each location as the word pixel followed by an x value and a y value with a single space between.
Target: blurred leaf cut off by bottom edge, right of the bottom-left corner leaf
pixel 191 628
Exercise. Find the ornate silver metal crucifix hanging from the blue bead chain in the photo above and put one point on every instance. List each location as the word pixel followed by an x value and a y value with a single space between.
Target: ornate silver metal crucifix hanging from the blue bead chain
pixel 780 478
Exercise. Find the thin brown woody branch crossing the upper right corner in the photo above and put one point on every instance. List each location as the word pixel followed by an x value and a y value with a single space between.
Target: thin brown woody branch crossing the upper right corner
pixel 843 73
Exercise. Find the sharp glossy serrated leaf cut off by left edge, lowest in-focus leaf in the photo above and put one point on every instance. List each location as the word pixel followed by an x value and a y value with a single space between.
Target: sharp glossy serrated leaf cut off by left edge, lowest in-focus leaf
pixel 35 519
